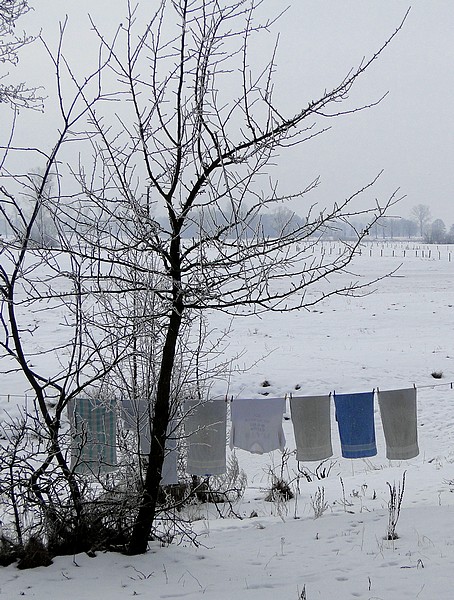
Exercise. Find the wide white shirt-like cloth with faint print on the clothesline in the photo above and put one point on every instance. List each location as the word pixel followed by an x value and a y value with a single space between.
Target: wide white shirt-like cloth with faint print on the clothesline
pixel 257 424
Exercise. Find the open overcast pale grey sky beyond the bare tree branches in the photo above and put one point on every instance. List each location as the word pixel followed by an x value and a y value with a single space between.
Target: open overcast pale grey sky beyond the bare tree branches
pixel 409 135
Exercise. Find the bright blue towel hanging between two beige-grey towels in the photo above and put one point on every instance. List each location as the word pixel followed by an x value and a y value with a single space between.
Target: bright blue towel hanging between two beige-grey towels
pixel 355 420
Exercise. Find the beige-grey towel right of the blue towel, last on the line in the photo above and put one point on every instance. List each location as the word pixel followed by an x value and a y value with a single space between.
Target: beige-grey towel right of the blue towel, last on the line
pixel 398 415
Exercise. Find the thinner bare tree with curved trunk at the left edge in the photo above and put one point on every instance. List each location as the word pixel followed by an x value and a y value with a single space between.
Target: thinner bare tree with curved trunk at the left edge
pixel 38 286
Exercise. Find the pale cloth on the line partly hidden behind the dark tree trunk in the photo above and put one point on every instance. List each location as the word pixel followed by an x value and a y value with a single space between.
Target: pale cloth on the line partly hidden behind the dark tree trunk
pixel 137 418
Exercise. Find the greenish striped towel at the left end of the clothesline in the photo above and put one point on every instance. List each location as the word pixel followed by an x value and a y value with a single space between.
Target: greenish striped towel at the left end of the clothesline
pixel 93 433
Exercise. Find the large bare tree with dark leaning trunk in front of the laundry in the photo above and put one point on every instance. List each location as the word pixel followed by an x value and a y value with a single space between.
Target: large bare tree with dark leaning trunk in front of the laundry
pixel 202 150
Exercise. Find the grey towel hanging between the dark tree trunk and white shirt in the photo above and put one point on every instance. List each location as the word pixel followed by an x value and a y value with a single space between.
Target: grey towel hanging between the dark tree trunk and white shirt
pixel 206 426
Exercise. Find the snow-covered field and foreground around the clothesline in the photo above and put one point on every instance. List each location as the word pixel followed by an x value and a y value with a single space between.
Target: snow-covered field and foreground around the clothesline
pixel 392 338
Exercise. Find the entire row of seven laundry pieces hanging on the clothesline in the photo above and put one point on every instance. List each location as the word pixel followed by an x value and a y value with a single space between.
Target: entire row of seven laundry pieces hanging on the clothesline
pixel 255 426
